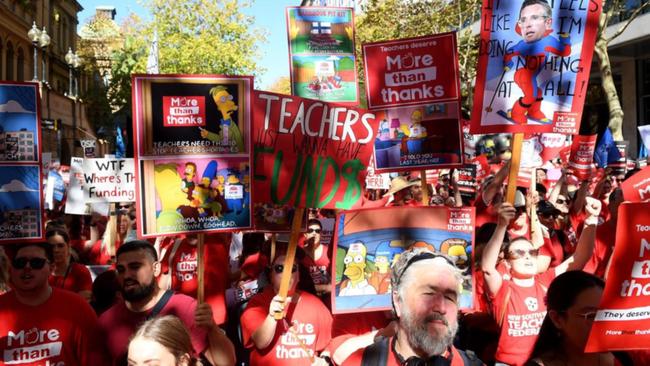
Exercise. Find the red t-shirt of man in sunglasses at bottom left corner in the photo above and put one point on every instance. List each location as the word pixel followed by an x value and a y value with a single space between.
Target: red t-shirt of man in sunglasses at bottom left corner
pixel 61 331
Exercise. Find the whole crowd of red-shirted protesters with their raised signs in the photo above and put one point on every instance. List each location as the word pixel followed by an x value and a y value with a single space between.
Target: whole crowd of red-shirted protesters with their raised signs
pixel 270 229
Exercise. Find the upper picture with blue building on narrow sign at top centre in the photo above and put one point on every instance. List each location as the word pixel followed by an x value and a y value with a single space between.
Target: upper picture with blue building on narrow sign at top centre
pixel 316 30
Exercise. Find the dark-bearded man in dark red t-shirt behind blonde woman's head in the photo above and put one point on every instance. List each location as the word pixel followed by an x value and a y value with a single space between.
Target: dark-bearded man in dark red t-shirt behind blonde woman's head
pixel 137 266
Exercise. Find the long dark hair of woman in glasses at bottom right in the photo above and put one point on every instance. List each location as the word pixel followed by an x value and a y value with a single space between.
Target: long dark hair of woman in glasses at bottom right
pixel 561 295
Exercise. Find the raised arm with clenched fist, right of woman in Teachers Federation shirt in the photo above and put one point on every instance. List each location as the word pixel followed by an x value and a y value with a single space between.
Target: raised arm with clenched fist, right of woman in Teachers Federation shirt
pixel 585 247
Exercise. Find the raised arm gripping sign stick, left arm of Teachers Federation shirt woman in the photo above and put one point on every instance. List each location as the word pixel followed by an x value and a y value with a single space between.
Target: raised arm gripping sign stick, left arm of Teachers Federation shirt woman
pixel 490 257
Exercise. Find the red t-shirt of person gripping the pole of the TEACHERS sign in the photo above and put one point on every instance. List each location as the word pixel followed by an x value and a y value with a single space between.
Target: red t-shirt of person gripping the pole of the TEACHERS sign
pixel 309 318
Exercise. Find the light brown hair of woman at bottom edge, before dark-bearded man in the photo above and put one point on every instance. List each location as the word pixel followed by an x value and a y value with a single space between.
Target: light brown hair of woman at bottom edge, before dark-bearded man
pixel 170 332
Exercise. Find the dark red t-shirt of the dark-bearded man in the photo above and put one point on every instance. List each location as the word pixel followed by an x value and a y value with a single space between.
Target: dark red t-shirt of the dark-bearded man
pixel 119 323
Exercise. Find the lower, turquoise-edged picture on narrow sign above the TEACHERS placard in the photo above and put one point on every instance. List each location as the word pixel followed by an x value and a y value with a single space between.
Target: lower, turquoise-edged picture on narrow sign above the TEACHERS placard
pixel 327 78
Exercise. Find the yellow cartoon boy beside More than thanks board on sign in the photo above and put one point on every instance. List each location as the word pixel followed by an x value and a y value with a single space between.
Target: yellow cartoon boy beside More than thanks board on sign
pixel 229 135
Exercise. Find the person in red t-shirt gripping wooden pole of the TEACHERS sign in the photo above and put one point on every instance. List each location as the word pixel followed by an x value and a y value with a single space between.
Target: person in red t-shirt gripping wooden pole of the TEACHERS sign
pixel 303 332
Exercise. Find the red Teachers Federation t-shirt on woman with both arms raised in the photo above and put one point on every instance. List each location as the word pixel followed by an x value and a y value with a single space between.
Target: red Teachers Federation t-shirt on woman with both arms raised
pixel 524 313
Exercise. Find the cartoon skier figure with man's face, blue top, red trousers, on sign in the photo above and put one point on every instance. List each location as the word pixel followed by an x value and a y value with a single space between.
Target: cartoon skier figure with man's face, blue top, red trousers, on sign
pixel 534 26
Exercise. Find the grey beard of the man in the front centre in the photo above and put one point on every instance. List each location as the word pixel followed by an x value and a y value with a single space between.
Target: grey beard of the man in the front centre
pixel 422 339
